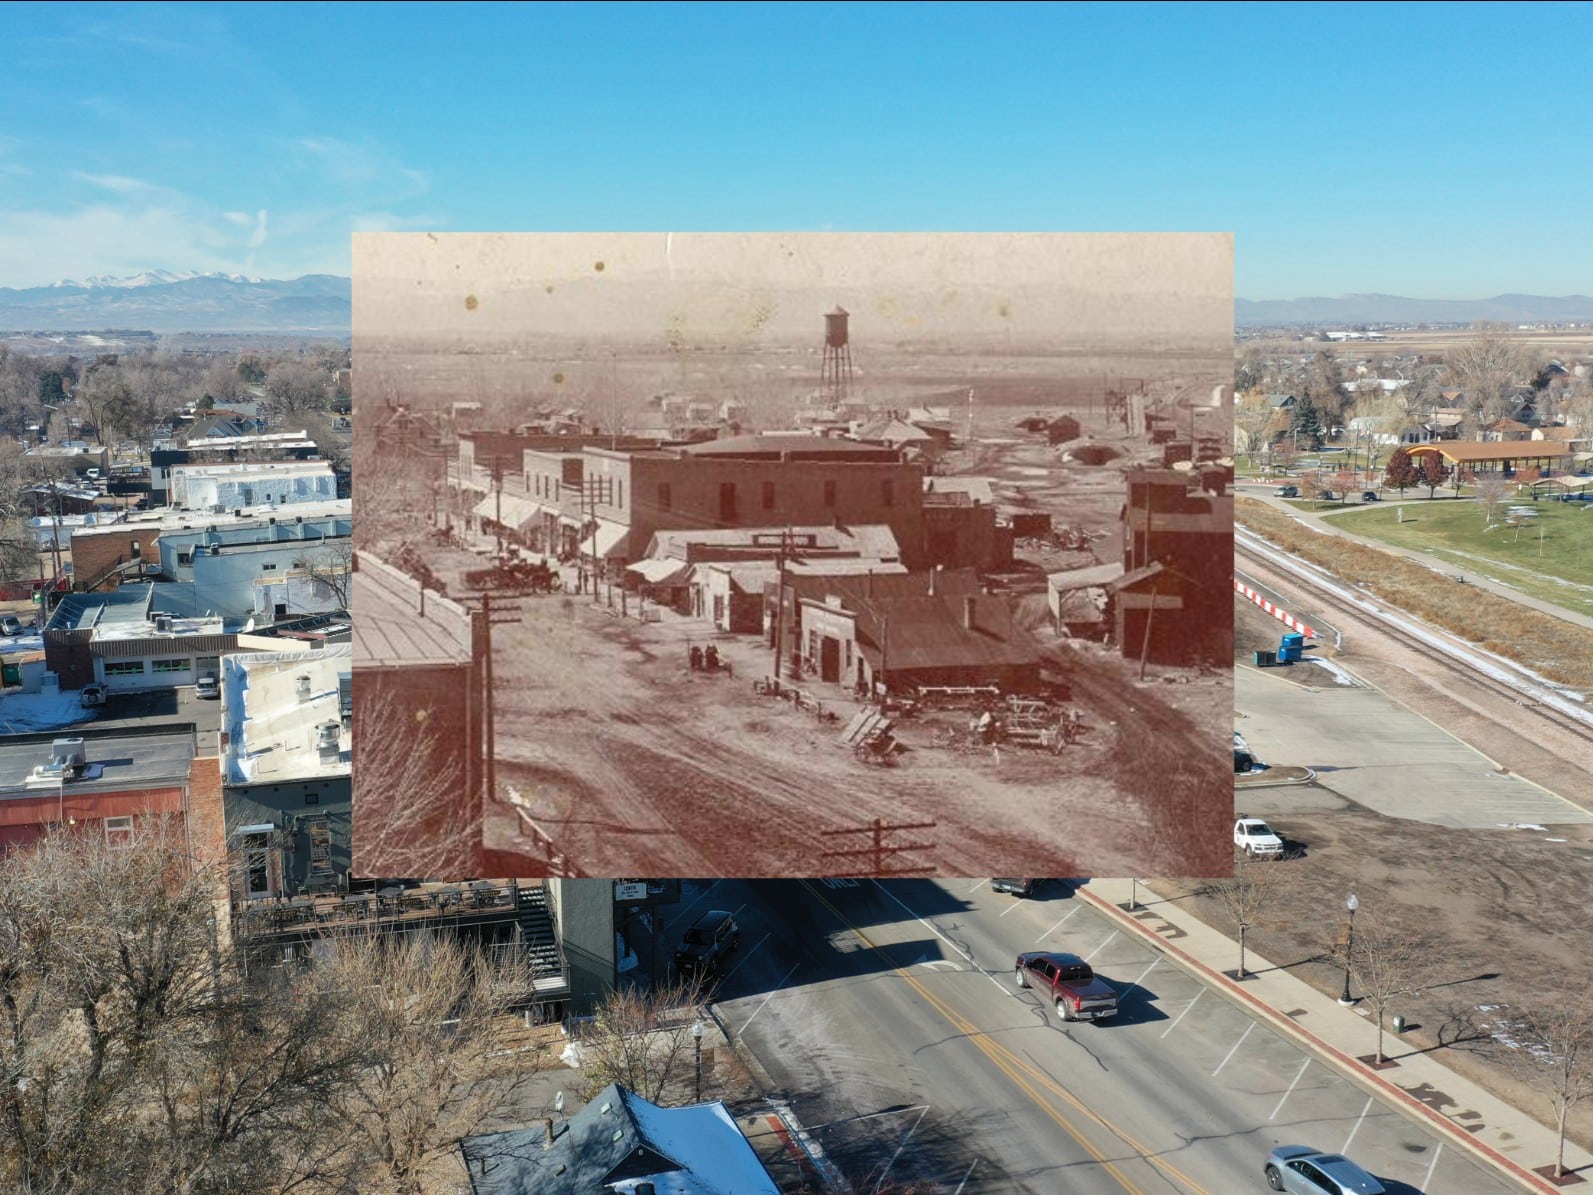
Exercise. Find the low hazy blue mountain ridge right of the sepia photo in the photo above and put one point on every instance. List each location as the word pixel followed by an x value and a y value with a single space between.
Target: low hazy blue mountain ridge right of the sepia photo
pixel 1348 310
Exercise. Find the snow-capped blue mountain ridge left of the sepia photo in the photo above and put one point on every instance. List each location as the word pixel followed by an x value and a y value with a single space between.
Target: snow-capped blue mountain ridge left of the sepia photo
pixel 166 302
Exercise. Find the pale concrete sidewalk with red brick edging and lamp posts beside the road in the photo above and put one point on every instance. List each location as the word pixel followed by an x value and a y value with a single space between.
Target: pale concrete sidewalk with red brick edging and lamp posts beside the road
pixel 1452 1105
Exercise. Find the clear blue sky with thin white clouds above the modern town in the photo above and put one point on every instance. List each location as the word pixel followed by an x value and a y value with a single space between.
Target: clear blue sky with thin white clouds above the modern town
pixel 1430 151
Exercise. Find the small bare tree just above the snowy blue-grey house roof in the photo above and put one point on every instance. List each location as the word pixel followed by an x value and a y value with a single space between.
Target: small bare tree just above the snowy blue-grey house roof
pixel 644 1040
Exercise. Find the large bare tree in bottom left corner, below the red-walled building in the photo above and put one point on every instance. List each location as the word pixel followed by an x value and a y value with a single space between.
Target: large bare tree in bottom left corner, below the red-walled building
pixel 100 952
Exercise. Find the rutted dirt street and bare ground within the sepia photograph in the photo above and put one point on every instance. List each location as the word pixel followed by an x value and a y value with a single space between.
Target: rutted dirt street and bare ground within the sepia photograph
pixel 636 766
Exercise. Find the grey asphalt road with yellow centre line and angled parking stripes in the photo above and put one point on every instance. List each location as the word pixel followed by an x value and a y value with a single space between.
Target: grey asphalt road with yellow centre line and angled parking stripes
pixel 890 1019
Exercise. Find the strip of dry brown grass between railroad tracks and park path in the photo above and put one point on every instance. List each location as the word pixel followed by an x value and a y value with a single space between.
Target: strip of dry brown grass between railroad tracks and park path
pixel 1549 646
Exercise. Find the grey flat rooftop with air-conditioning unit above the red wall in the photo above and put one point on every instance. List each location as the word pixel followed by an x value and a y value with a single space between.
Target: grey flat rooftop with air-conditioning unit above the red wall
pixel 119 761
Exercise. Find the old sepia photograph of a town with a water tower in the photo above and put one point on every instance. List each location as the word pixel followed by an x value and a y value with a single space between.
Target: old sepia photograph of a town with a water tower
pixel 762 555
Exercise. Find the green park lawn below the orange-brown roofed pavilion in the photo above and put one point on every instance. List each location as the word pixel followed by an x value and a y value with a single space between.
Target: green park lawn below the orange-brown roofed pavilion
pixel 1551 558
